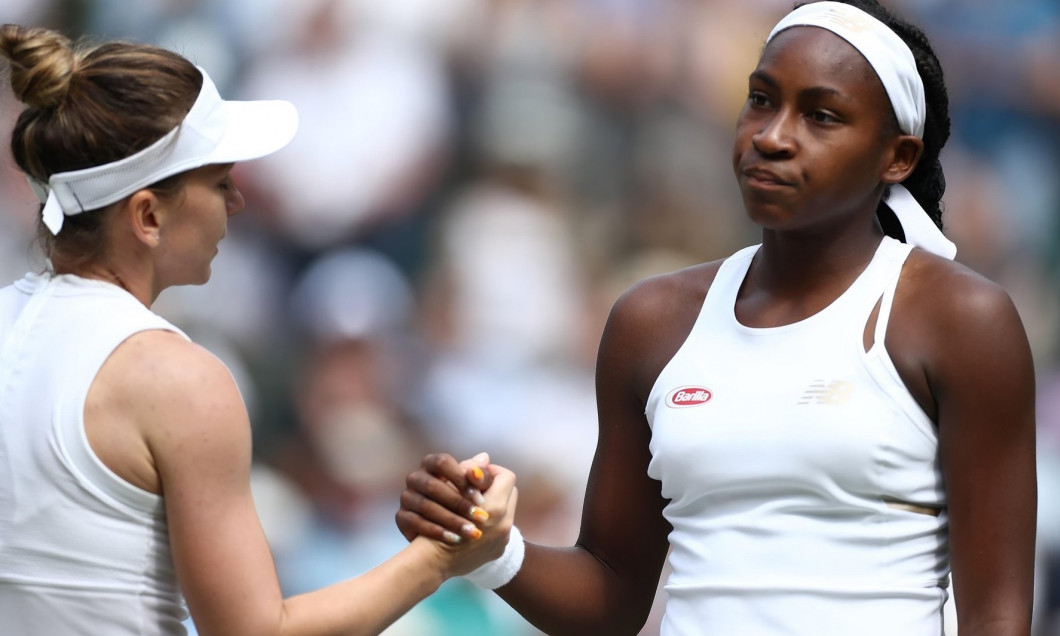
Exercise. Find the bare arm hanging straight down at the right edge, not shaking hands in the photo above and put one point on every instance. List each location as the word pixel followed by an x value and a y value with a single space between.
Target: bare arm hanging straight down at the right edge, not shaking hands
pixel 978 367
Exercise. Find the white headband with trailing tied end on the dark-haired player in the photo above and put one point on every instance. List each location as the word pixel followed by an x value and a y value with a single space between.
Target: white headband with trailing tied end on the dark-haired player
pixel 894 64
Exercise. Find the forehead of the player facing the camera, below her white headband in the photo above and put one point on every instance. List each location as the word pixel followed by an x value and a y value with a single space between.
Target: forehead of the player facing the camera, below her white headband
pixel 817 56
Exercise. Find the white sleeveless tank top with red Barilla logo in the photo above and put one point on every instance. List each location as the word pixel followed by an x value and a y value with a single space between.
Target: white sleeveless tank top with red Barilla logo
pixel 780 449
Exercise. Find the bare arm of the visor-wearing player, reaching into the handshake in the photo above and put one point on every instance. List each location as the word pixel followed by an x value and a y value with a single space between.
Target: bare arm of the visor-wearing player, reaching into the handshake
pixel 198 431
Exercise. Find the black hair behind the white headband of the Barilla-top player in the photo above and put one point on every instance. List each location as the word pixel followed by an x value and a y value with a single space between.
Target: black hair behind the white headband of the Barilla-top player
pixel 927 184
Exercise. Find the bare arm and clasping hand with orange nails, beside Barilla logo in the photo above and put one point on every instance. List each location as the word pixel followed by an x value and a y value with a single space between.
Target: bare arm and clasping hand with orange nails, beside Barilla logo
pixel 605 585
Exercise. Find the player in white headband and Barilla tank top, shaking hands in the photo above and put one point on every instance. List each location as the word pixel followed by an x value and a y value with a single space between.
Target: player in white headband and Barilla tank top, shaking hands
pixel 820 429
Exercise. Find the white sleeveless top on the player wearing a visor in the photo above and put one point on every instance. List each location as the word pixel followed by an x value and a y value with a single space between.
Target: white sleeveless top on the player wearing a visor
pixel 82 552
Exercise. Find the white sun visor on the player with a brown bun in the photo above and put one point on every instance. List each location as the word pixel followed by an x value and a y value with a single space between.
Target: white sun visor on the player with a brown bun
pixel 214 132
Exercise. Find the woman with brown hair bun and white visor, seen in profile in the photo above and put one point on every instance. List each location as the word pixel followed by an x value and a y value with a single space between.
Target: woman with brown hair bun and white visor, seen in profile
pixel 125 448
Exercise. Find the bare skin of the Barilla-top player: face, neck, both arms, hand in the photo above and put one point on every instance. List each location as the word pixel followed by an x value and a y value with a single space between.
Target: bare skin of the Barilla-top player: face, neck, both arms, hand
pixel 816 148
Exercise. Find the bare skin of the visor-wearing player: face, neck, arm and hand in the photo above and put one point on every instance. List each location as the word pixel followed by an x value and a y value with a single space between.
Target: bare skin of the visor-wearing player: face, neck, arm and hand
pixel 165 415
